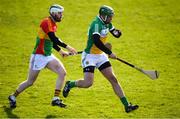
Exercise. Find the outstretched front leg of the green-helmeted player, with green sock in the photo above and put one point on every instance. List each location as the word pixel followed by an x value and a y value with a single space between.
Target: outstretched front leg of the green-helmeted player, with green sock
pixel 107 72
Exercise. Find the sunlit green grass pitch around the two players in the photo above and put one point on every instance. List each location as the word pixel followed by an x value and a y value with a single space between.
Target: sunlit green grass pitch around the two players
pixel 151 40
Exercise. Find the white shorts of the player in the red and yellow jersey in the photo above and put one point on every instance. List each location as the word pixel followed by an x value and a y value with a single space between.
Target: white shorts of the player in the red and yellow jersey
pixel 38 61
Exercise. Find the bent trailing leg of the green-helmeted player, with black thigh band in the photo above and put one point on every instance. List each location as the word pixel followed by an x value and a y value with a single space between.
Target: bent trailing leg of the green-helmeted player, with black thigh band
pixel 82 83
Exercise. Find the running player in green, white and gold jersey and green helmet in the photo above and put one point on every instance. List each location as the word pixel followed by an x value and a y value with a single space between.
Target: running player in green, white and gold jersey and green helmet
pixel 95 56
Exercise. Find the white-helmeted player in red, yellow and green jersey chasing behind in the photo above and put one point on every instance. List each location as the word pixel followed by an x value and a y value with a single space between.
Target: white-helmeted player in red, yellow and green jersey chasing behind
pixel 42 56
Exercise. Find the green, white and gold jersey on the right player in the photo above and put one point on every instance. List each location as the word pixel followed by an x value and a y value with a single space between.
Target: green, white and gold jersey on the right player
pixel 100 28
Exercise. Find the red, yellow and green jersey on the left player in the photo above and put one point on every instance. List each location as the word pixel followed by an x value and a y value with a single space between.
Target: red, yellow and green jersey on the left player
pixel 43 43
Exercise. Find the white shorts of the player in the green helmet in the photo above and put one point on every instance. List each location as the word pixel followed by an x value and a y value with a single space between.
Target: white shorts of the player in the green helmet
pixel 93 59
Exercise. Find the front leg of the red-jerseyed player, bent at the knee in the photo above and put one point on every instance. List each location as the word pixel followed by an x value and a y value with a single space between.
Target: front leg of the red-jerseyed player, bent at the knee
pixel 56 66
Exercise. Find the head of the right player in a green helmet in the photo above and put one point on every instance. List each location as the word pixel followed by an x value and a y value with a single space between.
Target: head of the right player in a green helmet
pixel 106 13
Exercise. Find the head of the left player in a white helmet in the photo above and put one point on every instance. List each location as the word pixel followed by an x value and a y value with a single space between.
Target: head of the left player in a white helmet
pixel 55 12
